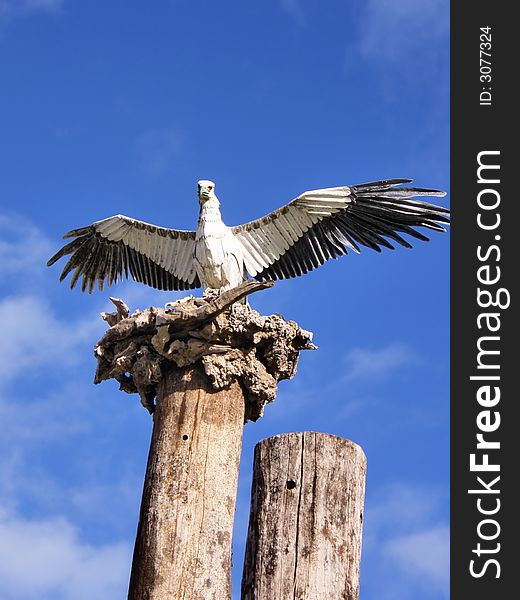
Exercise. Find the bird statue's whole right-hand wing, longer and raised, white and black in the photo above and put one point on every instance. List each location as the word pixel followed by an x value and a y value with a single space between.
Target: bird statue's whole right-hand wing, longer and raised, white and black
pixel 327 223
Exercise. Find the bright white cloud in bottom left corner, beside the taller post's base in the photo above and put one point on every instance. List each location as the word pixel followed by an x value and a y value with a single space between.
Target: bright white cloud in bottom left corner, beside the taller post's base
pixel 45 559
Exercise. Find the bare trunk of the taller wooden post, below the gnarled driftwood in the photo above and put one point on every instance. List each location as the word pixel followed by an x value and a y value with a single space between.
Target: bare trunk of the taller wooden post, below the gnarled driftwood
pixel 183 545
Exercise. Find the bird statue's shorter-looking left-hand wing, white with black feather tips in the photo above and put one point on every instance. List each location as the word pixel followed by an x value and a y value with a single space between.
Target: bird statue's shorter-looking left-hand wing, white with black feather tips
pixel 119 246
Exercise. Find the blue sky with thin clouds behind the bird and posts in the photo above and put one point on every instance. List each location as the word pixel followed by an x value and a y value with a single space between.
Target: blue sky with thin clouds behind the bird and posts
pixel 120 107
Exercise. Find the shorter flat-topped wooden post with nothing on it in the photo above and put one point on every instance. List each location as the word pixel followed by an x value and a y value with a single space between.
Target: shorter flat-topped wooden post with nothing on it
pixel 304 539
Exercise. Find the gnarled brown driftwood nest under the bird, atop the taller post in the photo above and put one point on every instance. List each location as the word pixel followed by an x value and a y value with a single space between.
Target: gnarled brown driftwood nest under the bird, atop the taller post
pixel 232 344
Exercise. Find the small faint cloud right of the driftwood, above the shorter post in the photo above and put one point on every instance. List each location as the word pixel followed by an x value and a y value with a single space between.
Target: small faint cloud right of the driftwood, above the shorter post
pixel 363 363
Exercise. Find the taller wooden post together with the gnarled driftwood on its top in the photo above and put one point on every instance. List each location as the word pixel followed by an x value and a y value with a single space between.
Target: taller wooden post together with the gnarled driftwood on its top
pixel 202 369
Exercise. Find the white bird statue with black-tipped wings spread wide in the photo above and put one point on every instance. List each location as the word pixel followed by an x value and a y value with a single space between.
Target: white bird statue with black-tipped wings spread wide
pixel 288 242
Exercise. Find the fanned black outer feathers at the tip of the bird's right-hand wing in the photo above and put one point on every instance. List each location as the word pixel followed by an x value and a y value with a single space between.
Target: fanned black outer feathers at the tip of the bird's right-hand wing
pixel 383 210
